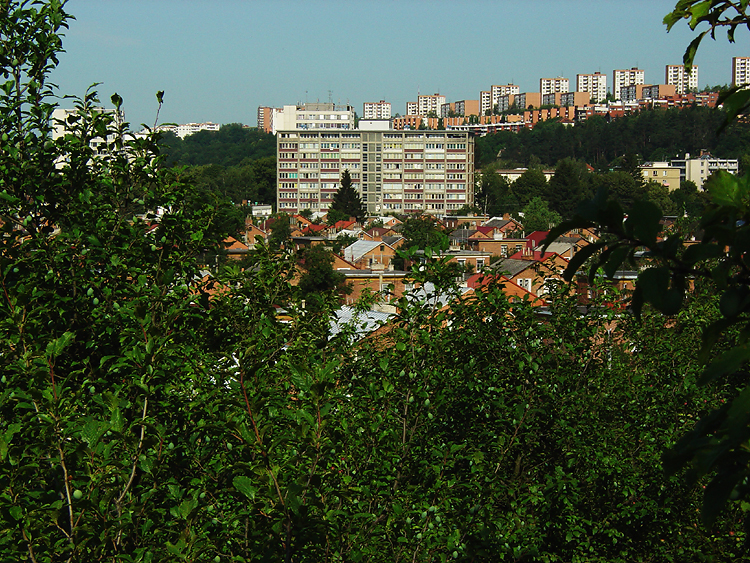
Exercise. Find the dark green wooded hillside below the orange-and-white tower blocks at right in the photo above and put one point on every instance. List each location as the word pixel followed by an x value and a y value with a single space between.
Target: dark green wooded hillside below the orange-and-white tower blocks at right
pixel 652 135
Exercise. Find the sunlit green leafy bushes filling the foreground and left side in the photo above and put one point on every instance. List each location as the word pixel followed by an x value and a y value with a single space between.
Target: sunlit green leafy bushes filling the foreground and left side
pixel 149 413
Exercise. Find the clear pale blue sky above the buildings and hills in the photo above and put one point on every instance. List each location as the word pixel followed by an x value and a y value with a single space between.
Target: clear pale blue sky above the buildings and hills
pixel 219 60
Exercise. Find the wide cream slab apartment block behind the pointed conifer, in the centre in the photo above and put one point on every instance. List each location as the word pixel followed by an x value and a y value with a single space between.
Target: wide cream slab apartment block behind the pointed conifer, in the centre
pixel 394 171
